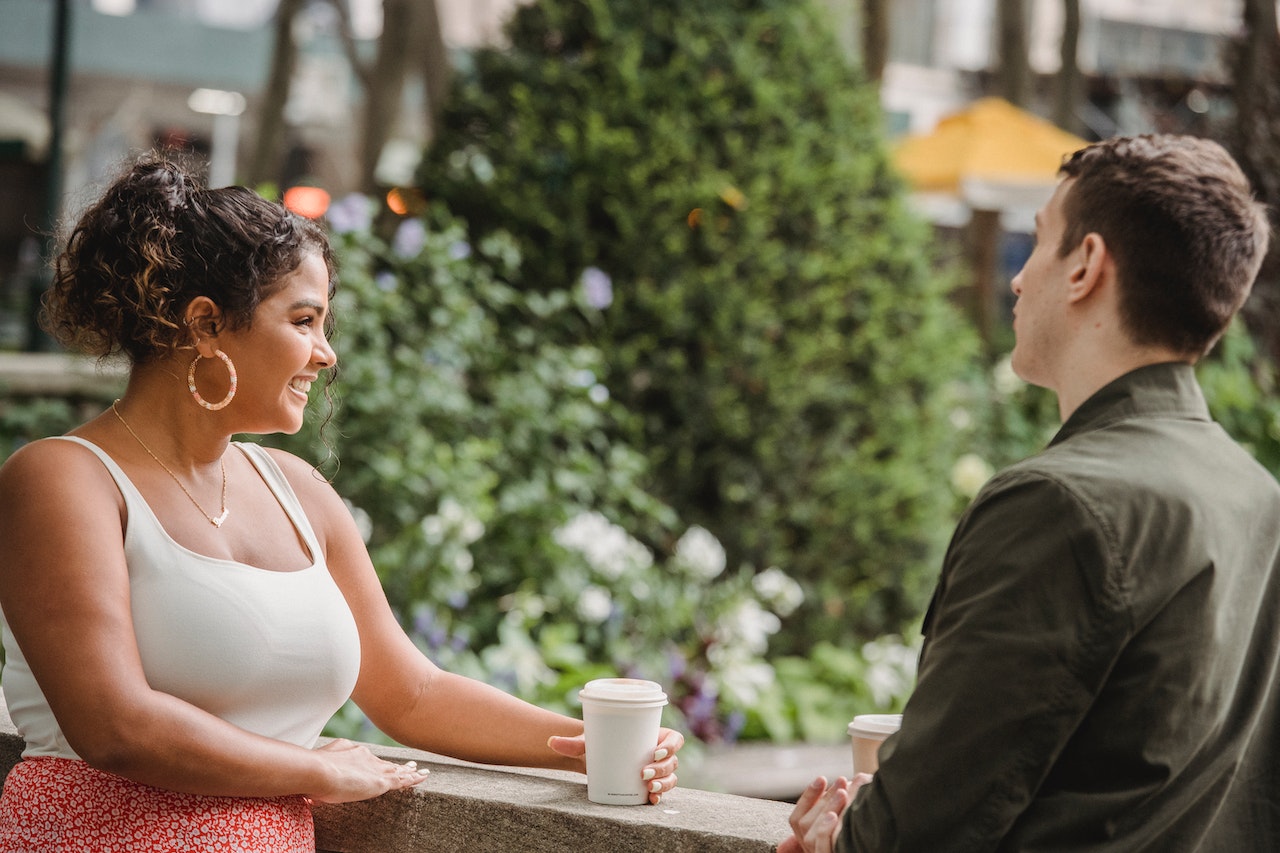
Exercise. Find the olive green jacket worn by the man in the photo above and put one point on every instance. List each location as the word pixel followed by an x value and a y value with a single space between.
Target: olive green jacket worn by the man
pixel 1100 669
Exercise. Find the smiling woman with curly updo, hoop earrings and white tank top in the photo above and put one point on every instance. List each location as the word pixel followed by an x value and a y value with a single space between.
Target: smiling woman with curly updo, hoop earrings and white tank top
pixel 184 614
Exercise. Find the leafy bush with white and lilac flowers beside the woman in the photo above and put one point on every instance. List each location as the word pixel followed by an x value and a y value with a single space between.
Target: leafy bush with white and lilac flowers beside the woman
pixel 510 528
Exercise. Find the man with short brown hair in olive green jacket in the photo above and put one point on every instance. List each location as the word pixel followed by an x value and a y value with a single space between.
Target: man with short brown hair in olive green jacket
pixel 1103 651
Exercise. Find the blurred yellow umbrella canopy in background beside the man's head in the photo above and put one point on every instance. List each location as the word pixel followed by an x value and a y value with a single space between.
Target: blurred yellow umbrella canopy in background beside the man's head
pixel 990 142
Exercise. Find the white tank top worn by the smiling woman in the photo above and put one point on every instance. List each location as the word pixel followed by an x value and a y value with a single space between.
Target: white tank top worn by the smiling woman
pixel 273 653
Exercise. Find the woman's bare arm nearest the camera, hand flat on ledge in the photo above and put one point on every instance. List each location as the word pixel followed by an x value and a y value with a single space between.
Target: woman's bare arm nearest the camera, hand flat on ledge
pixel 65 589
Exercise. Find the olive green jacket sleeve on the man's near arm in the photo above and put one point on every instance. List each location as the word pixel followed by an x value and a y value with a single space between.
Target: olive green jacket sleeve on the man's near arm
pixel 1025 624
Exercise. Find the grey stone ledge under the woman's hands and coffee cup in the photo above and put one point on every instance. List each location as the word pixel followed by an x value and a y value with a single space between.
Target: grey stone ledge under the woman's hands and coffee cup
pixel 479 809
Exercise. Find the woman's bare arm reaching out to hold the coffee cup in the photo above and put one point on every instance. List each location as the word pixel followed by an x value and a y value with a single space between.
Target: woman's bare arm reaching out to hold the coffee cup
pixel 415 703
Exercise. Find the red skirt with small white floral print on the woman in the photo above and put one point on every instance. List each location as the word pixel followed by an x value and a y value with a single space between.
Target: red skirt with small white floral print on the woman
pixel 65 806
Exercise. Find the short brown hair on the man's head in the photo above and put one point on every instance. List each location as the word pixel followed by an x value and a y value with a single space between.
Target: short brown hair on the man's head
pixel 1180 217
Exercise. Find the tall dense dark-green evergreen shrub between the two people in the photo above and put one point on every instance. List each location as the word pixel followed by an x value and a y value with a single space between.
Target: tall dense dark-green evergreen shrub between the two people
pixel 712 179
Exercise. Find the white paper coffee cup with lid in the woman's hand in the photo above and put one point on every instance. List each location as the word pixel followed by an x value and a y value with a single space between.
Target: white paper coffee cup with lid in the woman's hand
pixel 621 718
